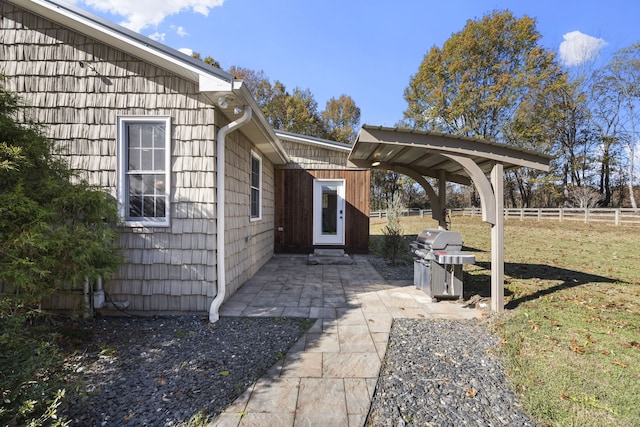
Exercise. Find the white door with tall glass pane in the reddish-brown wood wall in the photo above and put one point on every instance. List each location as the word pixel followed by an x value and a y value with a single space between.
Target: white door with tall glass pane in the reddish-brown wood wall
pixel 328 212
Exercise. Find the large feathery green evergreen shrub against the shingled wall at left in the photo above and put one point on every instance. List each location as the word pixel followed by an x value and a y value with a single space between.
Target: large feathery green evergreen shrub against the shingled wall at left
pixel 54 231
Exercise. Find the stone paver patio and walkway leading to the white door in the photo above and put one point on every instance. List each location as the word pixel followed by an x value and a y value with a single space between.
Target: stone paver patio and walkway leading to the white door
pixel 329 376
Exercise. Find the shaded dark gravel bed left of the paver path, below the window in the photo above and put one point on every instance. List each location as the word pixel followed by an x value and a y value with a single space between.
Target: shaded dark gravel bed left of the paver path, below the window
pixel 164 371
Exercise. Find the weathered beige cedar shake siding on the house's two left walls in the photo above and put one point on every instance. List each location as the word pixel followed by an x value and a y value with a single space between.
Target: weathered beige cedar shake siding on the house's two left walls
pixel 169 269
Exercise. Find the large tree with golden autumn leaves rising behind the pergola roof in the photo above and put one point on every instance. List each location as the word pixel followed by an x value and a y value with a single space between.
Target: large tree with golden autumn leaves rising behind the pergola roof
pixel 484 78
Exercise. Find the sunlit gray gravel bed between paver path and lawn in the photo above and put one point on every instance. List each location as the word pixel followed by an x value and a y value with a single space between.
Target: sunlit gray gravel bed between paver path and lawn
pixel 442 373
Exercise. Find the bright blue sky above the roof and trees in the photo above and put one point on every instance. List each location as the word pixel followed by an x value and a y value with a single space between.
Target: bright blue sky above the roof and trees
pixel 366 49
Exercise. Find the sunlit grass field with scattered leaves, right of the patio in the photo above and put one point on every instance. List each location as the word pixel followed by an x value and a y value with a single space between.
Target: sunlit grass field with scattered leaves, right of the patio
pixel 570 335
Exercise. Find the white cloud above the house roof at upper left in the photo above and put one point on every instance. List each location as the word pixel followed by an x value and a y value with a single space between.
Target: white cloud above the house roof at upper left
pixel 140 14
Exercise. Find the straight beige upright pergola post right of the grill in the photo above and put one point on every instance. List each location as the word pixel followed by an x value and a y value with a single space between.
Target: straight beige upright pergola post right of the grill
pixel 497 241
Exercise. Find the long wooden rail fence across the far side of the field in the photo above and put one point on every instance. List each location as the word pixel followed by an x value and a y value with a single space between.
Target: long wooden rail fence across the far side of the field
pixel 617 216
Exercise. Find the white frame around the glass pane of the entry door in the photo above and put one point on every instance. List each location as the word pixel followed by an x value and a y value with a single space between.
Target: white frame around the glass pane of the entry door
pixel 318 237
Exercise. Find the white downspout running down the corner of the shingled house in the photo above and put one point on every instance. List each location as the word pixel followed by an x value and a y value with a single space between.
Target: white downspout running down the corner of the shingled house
pixel 214 315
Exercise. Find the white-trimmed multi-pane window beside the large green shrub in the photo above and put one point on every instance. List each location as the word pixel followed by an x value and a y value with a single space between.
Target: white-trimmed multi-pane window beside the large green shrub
pixel 144 153
